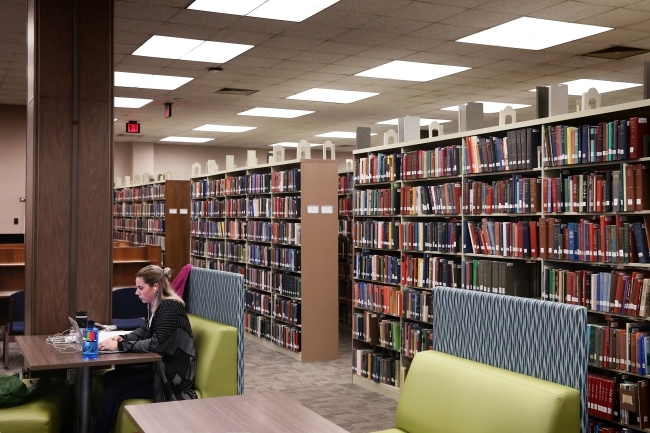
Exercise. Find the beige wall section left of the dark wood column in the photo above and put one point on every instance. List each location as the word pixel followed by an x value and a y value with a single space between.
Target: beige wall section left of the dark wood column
pixel 13 163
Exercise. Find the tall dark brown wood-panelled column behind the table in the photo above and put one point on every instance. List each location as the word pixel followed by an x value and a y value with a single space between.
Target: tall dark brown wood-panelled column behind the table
pixel 68 243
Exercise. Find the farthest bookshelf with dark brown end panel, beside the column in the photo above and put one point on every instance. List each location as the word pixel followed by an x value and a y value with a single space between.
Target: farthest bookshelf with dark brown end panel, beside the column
pixel 155 213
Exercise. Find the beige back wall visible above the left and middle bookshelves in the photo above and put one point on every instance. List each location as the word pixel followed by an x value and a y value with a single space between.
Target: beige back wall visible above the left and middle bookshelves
pixel 179 158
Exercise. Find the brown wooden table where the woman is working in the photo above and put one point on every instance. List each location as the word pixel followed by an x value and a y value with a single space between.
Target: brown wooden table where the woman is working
pixel 41 356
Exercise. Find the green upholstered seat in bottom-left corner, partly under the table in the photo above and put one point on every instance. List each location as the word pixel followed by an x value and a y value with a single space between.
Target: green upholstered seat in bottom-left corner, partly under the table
pixel 45 413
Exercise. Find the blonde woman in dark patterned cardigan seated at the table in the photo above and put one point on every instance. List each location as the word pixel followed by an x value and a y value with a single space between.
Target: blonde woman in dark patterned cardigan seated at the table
pixel 168 333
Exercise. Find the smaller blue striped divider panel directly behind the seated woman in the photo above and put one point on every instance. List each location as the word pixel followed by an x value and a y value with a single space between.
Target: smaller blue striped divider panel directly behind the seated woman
pixel 219 296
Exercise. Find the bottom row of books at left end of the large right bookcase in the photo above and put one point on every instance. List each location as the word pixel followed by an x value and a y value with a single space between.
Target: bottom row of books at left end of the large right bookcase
pixel 378 366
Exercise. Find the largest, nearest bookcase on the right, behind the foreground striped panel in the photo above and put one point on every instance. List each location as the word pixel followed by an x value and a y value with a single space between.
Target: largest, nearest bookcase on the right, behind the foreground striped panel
pixel 388 308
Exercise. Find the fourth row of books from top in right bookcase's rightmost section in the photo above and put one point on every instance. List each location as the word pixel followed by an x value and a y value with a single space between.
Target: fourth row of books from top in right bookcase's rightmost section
pixel 611 292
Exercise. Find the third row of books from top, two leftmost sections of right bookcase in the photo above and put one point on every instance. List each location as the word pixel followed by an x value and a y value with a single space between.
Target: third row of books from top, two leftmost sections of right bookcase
pixel 442 236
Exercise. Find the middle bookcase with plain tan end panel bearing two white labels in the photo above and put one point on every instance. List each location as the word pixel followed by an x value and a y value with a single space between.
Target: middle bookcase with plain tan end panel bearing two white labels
pixel 276 225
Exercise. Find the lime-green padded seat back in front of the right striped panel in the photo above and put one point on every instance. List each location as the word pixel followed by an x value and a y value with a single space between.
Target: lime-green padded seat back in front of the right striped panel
pixel 446 394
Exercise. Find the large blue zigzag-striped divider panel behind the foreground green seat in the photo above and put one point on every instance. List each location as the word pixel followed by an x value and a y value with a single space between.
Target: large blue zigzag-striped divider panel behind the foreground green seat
pixel 542 339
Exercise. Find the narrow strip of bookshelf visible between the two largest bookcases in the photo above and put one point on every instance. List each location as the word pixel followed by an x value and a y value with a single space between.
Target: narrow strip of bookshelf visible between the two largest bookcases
pixel 345 248
